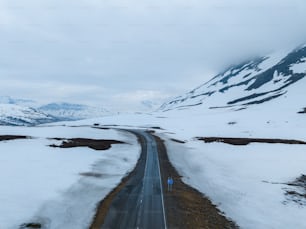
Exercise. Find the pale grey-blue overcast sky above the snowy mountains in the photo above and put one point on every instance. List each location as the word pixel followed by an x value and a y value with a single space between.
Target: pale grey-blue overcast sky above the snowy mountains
pixel 118 53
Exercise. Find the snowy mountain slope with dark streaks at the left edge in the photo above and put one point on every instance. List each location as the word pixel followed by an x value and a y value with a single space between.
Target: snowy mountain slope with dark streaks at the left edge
pixel 11 114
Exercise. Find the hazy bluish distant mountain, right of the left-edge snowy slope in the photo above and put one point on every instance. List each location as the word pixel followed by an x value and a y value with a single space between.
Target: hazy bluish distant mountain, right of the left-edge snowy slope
pixel 68 111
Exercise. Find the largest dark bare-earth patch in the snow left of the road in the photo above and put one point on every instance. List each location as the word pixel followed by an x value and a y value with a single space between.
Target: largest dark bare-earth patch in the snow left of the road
pixel 85 142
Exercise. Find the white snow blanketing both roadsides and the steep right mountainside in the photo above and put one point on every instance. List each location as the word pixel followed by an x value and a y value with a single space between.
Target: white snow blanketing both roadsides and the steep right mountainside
pixel 247 183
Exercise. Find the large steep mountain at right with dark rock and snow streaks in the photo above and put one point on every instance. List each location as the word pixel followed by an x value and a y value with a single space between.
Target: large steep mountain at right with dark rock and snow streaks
pixel 253 82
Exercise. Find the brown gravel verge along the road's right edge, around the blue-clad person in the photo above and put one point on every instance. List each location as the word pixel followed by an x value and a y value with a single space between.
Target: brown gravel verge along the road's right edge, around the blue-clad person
pixel 186 207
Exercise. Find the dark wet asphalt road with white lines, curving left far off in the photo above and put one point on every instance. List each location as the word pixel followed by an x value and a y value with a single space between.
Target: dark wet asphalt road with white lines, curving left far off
pixel 140 203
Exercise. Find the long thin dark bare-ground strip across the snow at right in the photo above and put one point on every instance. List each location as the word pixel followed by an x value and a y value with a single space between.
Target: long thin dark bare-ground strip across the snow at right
pixel 246 141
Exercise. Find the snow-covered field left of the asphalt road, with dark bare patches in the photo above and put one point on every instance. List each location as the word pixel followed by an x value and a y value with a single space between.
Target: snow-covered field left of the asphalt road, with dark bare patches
pixel 45 185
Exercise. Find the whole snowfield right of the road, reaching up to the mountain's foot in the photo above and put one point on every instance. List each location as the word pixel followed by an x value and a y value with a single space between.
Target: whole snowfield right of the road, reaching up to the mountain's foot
pixel 248 183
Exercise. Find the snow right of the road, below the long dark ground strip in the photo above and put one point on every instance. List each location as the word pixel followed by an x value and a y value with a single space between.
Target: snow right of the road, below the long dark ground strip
pixel 237 179
